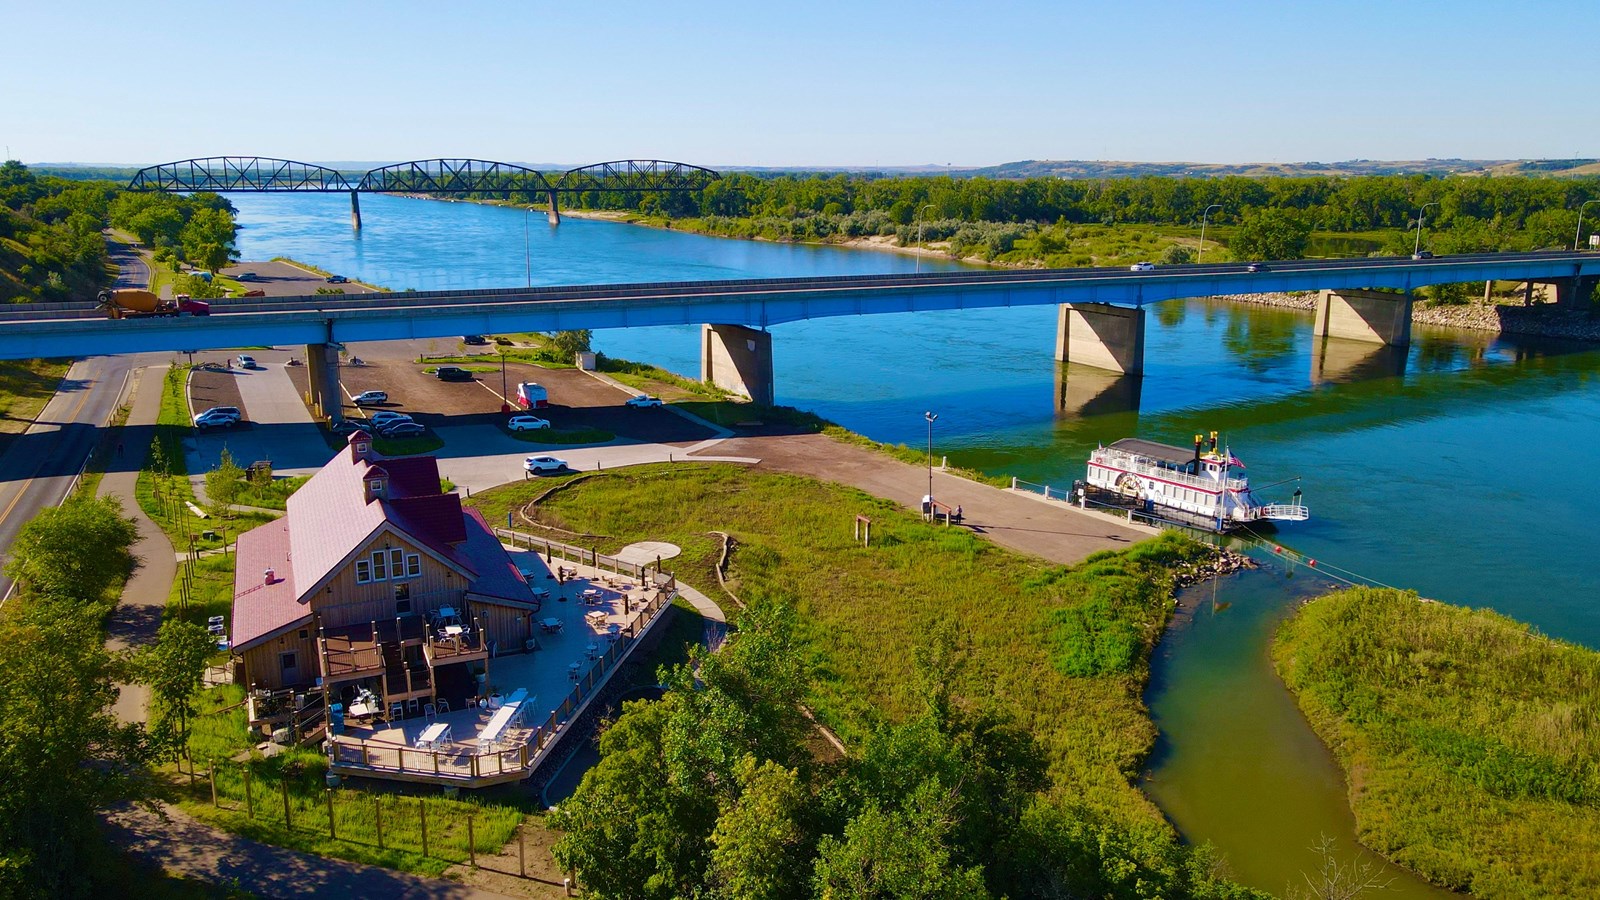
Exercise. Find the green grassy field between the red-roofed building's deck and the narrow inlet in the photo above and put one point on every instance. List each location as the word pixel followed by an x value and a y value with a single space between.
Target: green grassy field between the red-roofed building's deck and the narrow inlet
pixel 1063 651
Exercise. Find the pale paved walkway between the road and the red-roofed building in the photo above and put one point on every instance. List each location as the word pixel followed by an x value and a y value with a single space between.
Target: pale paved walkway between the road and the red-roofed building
pixel 138 617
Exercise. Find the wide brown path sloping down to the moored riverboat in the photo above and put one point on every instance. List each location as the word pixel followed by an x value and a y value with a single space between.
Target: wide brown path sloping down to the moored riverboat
pixel 1049 531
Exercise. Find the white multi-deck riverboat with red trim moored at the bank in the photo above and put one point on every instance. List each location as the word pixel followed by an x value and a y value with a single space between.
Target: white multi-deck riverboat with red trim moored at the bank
pixel 1201 486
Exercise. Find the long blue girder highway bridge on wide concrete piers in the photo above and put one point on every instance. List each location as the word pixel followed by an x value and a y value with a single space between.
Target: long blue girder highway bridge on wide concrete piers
pixel 1100 323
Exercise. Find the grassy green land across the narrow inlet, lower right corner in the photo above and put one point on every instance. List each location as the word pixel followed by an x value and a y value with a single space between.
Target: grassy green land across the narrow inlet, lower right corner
pixel 1468 739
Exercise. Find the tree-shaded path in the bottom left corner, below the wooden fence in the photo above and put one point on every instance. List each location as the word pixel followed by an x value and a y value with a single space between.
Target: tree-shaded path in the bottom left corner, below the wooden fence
pixel 185 846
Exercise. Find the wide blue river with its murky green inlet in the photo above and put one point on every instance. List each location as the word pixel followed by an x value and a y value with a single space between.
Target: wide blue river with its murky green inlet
pixel 1446 468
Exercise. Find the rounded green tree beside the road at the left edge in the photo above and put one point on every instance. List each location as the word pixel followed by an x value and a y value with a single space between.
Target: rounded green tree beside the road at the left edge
pixel 74 552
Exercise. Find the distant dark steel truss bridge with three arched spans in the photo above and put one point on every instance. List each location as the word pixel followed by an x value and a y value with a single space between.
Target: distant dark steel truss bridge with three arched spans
pixel 265 175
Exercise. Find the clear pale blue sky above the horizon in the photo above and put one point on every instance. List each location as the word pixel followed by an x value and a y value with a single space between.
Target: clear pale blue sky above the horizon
pixel 799 84
